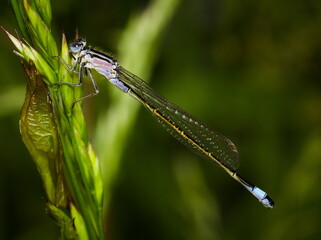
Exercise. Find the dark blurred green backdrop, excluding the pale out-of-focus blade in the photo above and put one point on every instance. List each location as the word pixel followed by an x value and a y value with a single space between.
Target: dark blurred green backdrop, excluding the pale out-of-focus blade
pixel 250 69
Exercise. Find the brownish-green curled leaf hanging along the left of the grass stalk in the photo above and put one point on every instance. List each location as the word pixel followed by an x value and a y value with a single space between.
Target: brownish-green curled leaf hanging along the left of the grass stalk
pixel 40 135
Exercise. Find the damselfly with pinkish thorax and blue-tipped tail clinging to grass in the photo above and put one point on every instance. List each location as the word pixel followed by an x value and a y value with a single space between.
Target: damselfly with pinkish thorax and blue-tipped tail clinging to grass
pixel 186 128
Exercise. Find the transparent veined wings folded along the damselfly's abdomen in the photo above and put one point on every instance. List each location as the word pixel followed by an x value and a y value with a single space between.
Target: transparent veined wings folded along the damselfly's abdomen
pixel 181 124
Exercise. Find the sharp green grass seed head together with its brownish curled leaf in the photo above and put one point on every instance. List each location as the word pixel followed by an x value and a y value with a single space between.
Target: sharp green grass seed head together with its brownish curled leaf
pixel 56 133
